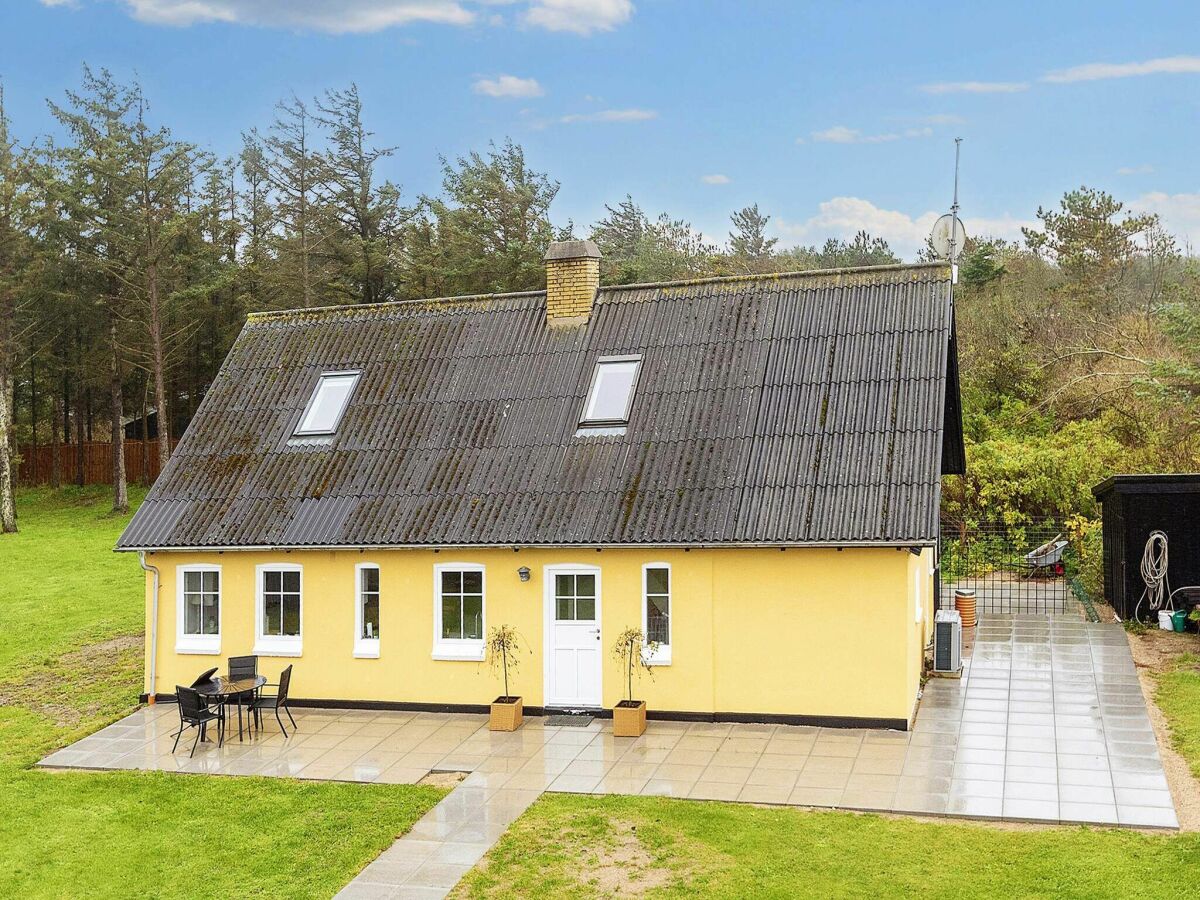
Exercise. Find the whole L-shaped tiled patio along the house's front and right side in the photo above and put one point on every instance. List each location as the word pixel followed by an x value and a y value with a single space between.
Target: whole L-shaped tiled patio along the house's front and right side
pixel 1048 725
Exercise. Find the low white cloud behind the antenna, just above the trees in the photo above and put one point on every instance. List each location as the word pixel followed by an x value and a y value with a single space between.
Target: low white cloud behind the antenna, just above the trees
pixel 845 217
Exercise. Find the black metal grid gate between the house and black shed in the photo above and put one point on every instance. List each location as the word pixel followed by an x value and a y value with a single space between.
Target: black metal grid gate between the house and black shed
pixel 1012 569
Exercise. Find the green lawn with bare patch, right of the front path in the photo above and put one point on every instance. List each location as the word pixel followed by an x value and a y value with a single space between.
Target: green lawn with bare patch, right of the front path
pixel 571 845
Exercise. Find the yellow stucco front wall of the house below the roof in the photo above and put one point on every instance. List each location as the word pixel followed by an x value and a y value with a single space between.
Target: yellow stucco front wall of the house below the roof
pixel 803 632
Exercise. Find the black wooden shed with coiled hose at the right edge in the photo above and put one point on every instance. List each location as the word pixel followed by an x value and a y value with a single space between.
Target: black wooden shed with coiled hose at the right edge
pixel 1136 506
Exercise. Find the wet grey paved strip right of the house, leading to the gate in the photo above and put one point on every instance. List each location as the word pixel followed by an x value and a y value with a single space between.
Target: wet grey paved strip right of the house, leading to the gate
pixel 1049 724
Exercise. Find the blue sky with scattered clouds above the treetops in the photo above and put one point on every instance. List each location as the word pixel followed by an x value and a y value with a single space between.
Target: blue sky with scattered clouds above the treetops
pixel 831 116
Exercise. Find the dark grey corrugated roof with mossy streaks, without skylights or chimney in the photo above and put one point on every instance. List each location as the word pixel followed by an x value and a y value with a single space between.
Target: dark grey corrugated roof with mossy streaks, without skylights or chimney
pixel 801 409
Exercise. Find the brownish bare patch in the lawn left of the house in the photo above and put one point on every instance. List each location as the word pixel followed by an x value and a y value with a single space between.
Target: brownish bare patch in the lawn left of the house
pixel 76 687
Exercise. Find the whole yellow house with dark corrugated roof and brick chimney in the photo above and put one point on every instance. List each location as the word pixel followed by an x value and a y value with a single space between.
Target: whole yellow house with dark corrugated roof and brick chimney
pixel 746 469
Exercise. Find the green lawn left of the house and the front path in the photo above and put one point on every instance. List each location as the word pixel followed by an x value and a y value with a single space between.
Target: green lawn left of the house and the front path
pixel 71 663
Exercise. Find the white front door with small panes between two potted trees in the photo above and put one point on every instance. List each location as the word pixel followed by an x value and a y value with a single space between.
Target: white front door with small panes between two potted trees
pixel 573 637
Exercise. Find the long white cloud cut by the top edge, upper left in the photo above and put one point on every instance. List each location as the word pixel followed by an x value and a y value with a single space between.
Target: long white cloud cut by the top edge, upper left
pixel 340 17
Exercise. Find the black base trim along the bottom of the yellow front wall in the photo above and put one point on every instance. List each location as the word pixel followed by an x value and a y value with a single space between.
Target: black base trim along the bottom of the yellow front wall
pixel 670 716
